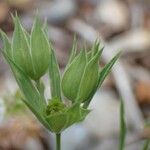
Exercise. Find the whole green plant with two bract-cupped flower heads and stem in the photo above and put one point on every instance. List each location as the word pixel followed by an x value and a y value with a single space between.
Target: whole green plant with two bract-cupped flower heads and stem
pixel 31 55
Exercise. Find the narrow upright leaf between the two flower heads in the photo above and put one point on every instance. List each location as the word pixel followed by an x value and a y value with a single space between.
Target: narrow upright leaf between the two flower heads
pixel 54 76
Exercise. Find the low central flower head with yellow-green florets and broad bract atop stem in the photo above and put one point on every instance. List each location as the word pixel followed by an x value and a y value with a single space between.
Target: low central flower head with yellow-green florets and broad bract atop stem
pixel 60 117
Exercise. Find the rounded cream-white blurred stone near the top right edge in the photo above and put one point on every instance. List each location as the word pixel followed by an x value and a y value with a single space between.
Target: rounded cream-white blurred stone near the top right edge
pixel 113 13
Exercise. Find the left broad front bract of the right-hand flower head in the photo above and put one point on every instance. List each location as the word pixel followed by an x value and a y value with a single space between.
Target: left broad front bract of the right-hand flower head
pixel 73 75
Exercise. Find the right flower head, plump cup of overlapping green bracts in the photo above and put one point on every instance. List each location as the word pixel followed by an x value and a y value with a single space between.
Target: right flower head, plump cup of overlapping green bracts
pixel 81 76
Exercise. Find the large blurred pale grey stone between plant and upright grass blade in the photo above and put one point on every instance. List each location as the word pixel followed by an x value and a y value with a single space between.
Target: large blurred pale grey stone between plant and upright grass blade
pixel 103 121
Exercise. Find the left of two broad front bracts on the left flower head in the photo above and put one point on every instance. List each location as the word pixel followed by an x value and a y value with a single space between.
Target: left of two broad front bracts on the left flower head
pixel 21 50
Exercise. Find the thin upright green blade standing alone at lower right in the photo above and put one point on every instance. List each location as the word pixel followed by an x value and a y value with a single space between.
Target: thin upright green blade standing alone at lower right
pixel 122 127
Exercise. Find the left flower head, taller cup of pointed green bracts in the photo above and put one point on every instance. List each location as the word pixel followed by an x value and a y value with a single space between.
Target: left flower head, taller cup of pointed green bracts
pixel 31 53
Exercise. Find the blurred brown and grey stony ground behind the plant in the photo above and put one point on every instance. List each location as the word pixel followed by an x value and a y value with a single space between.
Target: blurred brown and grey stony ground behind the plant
pixel 120 24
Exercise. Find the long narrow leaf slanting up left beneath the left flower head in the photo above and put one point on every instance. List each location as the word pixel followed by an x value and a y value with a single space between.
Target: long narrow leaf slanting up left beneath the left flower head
pixel 32 96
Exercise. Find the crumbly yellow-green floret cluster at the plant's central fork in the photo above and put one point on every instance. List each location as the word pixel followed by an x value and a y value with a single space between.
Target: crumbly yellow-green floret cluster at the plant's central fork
pixel 55 106
